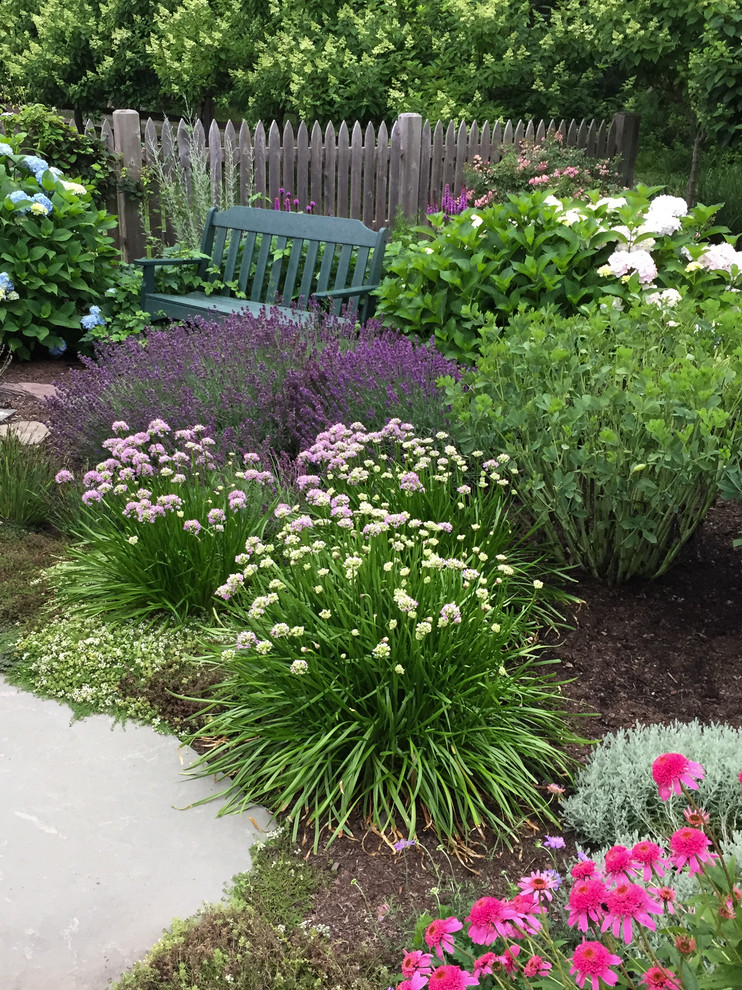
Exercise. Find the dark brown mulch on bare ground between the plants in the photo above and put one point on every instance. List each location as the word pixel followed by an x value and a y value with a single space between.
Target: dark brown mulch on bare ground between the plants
pixel 649 651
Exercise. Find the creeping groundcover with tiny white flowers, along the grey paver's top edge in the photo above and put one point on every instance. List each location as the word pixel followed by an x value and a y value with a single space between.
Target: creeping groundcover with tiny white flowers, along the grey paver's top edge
pixel 84 662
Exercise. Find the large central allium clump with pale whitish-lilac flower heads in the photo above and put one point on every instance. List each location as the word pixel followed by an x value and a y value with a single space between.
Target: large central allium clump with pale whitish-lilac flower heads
pixel 381 652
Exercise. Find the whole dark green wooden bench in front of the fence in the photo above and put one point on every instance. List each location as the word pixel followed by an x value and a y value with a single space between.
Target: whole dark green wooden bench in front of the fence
pixel 263 258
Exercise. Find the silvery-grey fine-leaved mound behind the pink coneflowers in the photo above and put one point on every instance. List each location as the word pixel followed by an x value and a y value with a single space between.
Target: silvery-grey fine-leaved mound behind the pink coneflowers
pixel 615 795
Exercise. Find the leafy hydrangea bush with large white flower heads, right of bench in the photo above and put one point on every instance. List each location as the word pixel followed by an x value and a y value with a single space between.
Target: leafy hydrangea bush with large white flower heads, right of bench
pixel 534 250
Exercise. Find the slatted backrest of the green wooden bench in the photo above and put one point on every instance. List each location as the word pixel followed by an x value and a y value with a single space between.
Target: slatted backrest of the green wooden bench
pixel 277 256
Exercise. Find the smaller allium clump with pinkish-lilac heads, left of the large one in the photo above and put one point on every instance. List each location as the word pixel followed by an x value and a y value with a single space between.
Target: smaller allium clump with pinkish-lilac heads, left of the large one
pixel 161 524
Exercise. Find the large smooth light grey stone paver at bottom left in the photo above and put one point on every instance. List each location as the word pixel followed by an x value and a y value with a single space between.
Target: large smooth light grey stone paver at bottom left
pixel 95 857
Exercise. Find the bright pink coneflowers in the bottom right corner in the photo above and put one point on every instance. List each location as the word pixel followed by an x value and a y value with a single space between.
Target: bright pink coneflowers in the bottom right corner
pixel 695 945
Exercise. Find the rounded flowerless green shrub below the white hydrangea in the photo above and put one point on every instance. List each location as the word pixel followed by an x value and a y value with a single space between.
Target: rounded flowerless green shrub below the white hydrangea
pixel 622 426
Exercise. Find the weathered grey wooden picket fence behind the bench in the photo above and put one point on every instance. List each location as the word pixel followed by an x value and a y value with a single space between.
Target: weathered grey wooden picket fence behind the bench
pixel 366 173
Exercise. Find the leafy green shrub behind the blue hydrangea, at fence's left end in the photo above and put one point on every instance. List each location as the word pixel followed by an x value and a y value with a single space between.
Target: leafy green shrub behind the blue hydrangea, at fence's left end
pixel 44 132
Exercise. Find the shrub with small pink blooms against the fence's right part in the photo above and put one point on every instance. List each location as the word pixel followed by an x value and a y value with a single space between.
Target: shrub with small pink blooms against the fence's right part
pixel 547 164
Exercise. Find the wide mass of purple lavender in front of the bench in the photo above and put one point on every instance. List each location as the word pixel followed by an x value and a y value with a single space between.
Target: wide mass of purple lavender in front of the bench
pixel 257 382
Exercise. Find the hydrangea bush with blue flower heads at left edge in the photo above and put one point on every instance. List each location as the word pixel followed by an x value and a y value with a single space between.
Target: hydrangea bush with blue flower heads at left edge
pixel 56 257
